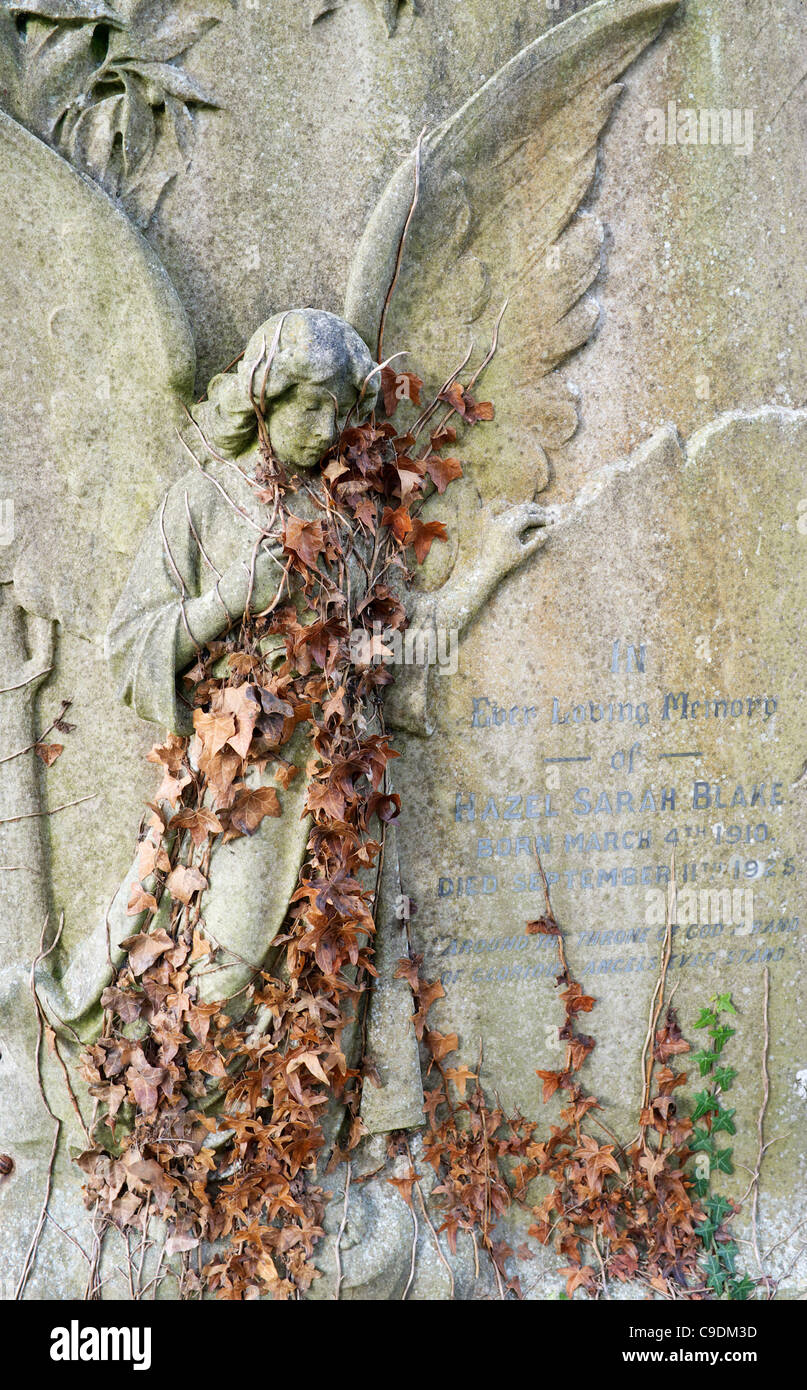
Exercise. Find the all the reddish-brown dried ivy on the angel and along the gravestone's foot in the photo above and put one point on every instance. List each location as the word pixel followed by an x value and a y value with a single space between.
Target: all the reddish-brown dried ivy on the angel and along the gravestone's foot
pixel 223 1115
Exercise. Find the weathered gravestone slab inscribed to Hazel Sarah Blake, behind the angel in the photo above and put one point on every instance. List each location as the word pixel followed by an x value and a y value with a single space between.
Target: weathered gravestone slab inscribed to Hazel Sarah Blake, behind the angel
pixel 620 710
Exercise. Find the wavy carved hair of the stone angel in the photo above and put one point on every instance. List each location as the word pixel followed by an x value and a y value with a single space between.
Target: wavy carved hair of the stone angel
pixel 303 345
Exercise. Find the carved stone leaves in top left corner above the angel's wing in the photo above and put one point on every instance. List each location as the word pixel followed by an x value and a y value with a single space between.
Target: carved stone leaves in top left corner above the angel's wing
pixel 108 88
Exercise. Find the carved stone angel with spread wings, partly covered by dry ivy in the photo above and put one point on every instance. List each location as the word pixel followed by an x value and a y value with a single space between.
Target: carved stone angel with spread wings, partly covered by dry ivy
pixel 431 277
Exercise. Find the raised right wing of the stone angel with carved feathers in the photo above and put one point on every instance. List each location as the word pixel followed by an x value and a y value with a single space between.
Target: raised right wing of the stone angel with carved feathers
pixel 499 186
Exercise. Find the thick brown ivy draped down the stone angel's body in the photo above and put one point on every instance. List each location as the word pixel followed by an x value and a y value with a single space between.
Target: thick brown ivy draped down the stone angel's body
pixel 217 1115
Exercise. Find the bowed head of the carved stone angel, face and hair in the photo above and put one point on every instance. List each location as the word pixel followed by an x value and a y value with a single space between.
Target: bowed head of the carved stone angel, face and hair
pixel 305 370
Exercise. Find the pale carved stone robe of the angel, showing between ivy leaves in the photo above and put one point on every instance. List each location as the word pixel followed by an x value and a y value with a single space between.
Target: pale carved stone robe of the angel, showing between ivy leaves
pixel 209 522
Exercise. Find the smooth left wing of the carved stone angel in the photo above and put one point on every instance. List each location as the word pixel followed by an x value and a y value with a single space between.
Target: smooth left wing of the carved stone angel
pixel 97 361
